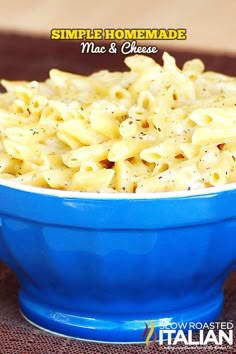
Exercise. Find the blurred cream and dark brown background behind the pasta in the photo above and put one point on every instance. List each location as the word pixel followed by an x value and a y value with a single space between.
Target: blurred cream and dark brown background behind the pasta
pixel 27 53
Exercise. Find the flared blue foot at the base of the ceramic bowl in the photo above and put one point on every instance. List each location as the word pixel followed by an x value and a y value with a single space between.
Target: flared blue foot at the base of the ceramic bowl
pixel 115 329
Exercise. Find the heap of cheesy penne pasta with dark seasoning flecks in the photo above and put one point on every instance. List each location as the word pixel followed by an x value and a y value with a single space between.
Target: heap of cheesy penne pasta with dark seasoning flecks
pixel 151 129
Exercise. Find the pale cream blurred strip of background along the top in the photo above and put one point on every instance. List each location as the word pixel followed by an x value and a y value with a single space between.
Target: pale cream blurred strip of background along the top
pixel 210 24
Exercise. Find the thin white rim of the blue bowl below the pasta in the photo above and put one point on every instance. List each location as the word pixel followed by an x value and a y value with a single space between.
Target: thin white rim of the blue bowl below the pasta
pixel 204 192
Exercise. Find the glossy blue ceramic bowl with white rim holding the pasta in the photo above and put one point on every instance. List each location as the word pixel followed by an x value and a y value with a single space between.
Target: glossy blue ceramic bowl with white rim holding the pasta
pixel 100 266
